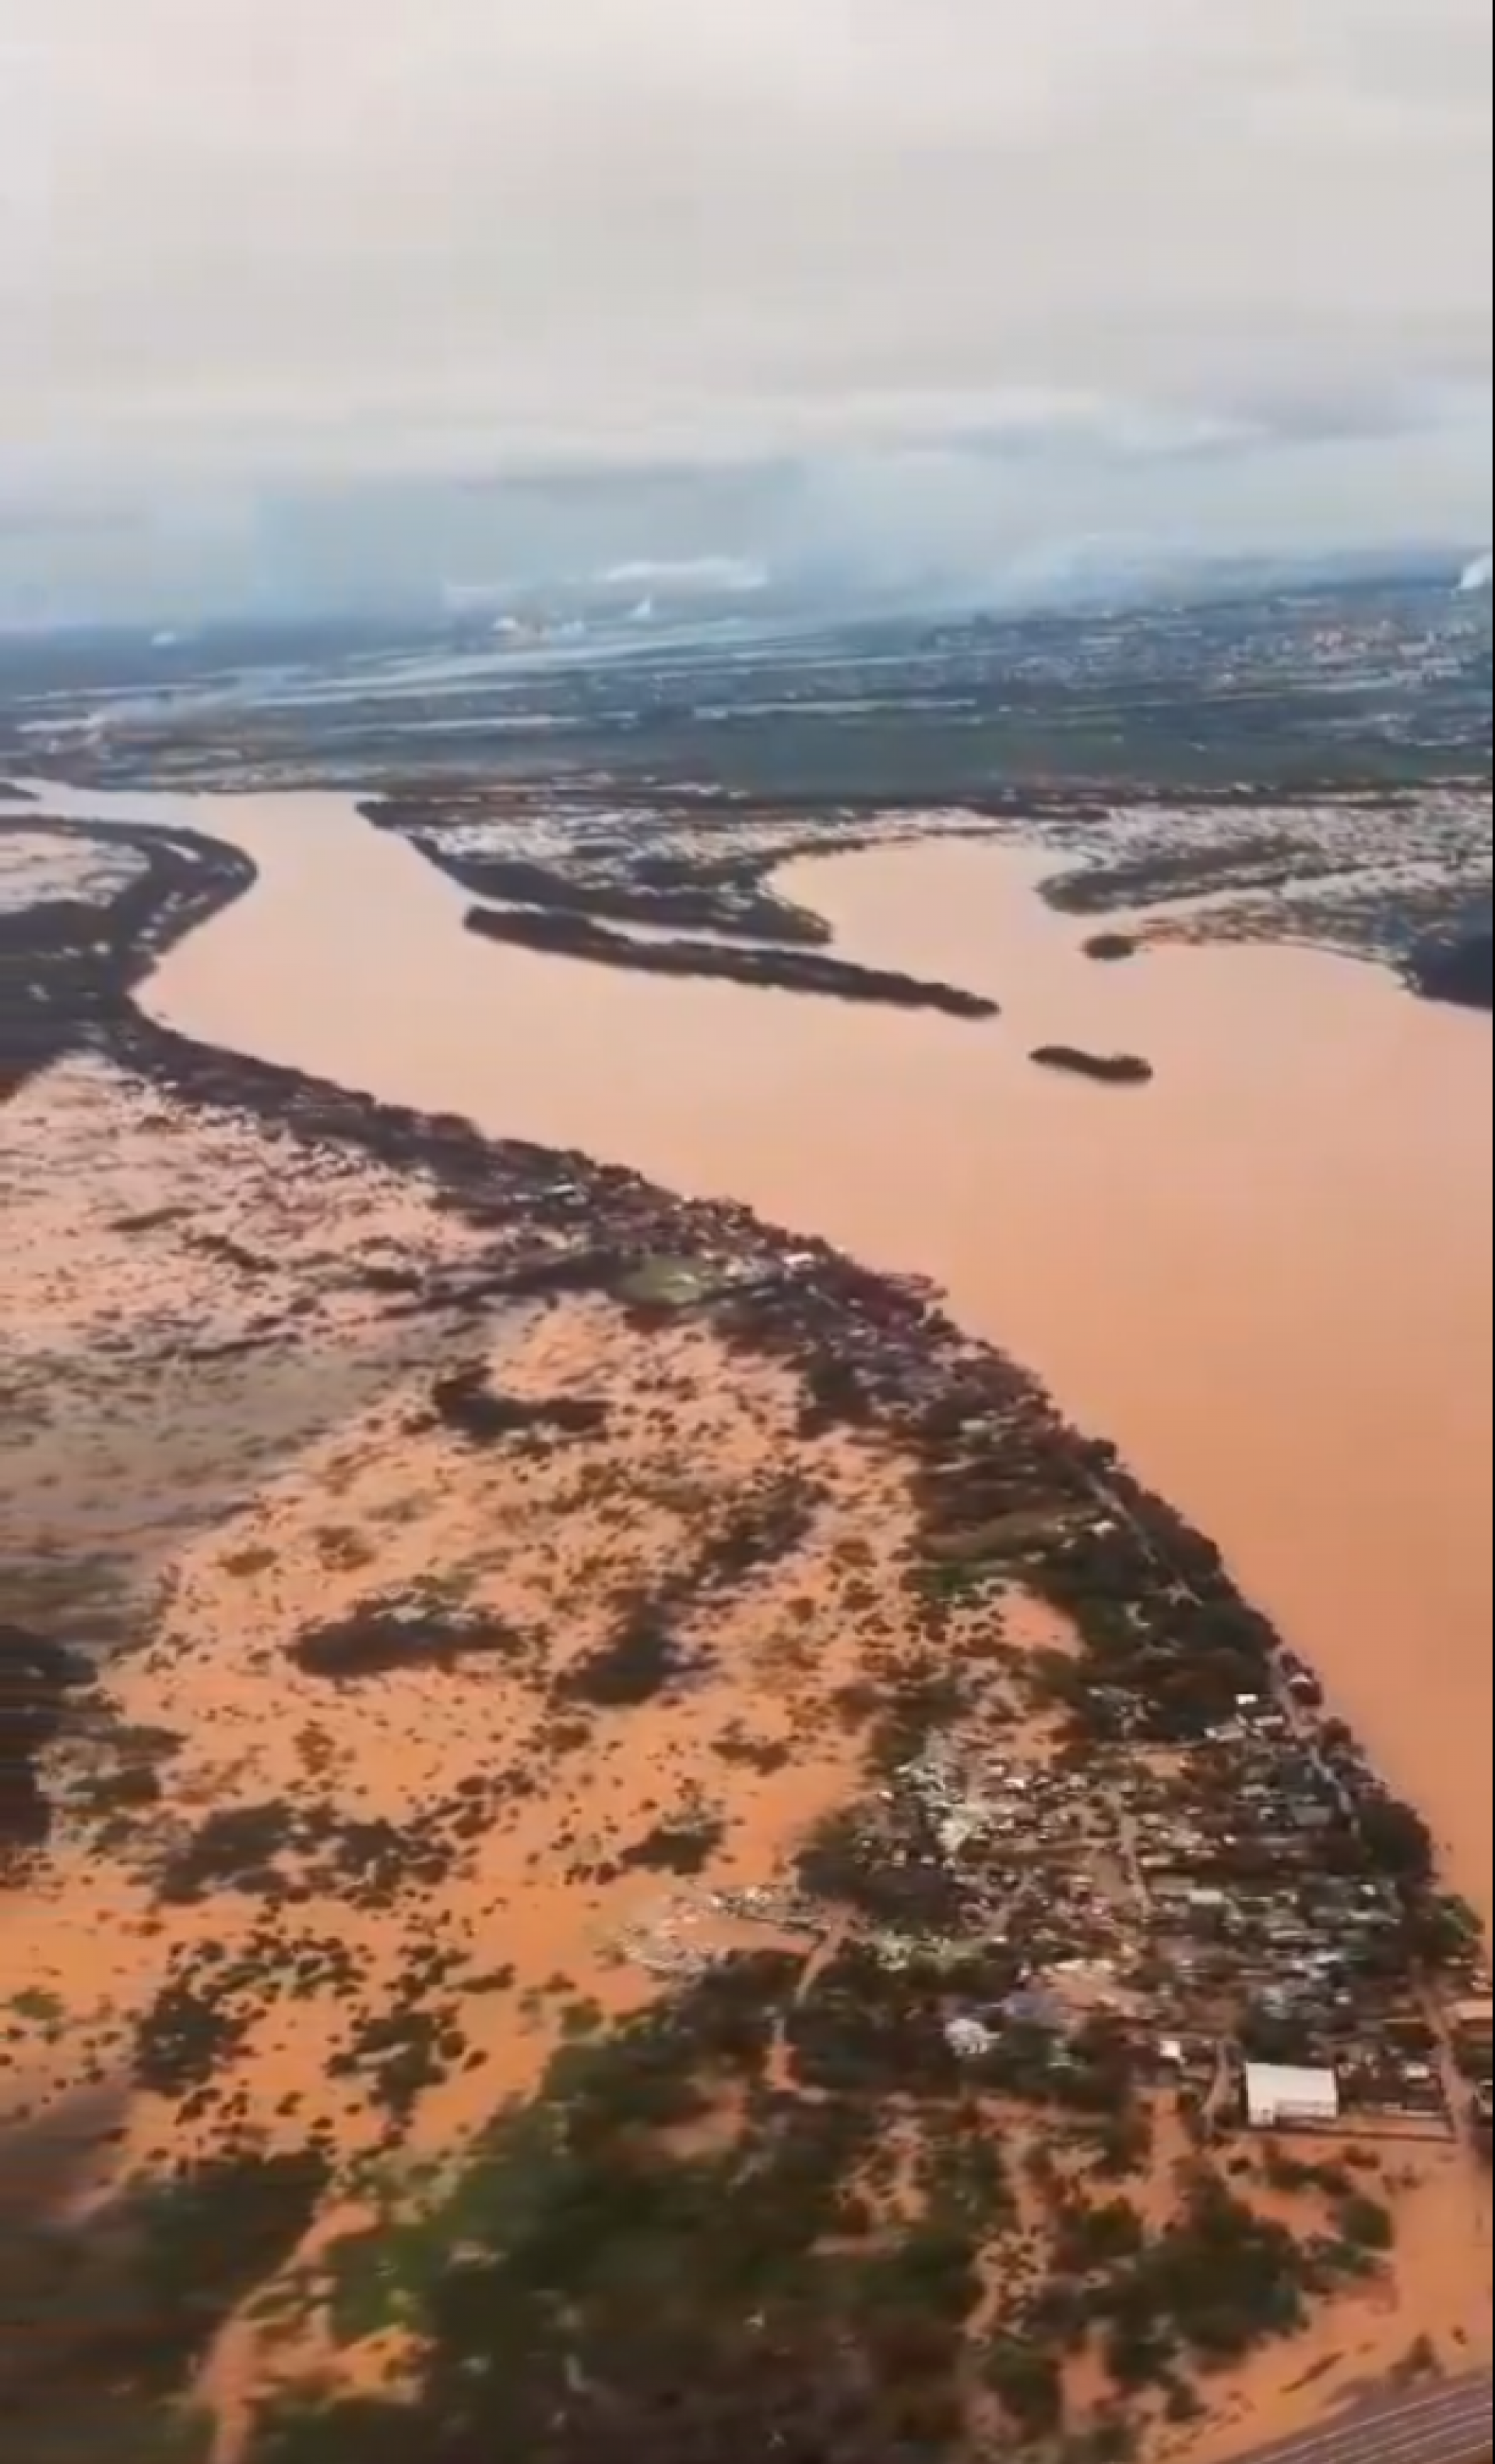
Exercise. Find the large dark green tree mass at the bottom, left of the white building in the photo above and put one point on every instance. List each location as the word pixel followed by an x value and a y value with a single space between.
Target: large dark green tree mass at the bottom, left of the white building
pixel 595 2295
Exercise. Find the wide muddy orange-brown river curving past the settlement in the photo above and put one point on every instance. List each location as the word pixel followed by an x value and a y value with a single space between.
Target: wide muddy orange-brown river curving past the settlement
pixel 1267 1275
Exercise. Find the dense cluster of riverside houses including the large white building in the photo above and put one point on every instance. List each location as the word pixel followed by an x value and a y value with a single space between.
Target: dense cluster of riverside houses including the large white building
pixel 1188 1899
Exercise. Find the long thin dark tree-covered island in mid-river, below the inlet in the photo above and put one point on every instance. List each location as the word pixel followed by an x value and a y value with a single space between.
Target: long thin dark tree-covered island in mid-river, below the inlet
pixel 775 970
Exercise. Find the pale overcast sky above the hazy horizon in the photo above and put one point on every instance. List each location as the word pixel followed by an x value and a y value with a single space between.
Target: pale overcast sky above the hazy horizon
pixel 1097 260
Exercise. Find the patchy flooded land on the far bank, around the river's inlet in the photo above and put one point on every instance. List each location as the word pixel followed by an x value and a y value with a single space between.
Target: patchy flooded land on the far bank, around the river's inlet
pixel 1366 871
